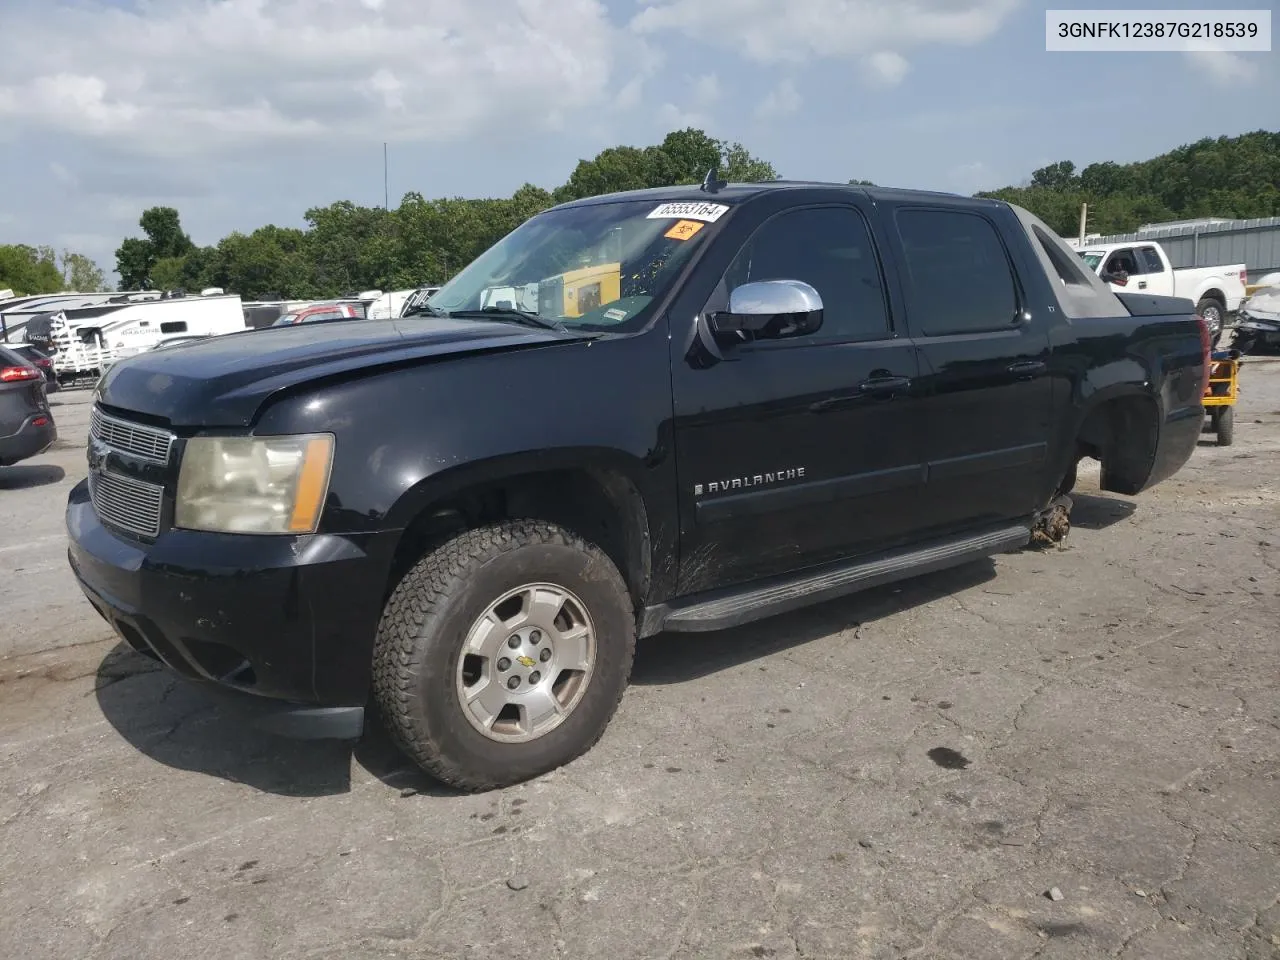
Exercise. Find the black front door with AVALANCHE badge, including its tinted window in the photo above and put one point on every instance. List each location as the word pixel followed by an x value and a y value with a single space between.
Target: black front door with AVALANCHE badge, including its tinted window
pixel 799 451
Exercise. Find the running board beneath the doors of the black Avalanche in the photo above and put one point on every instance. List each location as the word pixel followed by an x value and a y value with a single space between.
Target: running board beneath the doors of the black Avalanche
pixel 720 610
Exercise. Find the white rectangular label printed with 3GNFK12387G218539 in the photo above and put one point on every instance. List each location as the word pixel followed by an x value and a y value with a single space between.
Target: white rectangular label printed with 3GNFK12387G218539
pixel 1159 31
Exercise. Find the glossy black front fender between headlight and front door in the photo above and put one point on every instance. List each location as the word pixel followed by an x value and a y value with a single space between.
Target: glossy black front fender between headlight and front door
pixel 409 437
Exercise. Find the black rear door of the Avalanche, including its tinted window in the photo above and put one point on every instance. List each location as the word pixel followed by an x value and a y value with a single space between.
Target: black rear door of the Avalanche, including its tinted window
pixel 986 395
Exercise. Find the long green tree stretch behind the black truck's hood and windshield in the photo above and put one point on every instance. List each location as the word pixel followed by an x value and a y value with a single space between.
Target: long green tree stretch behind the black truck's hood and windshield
pixel 346 248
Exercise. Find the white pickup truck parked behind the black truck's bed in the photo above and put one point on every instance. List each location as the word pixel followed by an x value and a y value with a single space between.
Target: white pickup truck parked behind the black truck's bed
pixel 1145 267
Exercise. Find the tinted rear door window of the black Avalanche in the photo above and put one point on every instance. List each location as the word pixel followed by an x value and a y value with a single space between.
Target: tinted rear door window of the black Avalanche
pixel 959 276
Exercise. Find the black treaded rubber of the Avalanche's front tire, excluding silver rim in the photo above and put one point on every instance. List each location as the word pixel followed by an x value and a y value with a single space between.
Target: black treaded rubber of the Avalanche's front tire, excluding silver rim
pixel 426 623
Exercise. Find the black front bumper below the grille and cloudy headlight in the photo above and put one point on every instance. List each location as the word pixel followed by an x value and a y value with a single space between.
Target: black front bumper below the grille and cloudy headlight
pixel 285 625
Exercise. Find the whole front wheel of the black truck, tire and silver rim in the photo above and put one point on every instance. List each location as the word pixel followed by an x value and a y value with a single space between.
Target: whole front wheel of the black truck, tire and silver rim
pixel 504 655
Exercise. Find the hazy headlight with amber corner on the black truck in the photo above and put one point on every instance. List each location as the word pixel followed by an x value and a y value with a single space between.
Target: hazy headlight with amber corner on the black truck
pixel 254 484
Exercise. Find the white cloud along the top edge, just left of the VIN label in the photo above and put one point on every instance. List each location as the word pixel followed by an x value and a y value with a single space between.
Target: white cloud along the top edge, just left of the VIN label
pixel 770 31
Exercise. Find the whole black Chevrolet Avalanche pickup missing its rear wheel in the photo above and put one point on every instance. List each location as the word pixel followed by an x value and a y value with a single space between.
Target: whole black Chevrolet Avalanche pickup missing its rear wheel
pixel 671 410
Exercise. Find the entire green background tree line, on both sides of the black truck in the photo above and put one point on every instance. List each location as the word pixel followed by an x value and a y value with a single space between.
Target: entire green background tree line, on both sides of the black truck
pixel 346 248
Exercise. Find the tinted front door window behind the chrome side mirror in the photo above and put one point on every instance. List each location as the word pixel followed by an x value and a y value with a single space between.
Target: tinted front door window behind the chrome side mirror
pixel 831 250
